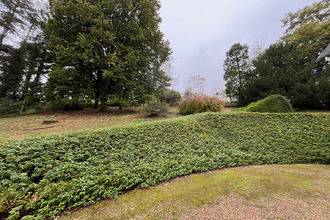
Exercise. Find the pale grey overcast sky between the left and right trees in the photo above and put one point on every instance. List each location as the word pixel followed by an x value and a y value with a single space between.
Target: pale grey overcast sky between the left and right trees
pixel 202 31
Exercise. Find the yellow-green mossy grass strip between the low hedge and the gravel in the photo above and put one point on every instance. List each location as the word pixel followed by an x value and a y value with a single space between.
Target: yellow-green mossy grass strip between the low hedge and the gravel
pixel 185 194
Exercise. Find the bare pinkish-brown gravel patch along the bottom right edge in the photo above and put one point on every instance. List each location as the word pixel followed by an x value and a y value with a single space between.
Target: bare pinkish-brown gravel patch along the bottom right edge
pixel 234 207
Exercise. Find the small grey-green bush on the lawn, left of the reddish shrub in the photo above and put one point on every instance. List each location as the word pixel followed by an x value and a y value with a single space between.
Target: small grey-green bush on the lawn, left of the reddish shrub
pixel 154 107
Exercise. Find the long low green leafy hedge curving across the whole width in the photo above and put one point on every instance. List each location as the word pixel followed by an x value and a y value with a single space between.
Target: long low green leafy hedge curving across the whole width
pixel 43 176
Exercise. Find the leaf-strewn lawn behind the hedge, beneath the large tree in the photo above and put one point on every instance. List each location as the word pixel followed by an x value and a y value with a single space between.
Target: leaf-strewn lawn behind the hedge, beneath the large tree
pixel 27 126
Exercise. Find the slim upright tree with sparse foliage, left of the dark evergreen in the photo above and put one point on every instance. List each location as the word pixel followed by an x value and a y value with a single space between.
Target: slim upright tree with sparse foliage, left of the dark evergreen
pixel 236 72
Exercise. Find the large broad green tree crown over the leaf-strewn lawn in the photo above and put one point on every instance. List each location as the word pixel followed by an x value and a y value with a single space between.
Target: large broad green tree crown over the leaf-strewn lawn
pixel 106 48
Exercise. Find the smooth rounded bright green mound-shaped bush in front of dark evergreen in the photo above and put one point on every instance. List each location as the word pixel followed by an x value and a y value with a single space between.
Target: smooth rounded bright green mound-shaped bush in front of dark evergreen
pixel 272 104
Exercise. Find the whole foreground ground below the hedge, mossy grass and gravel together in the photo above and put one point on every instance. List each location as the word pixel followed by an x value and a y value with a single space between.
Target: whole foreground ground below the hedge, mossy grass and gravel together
pixel 224 194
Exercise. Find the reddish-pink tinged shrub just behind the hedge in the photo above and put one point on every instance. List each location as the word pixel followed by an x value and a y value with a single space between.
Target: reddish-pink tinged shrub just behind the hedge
pixel 200 103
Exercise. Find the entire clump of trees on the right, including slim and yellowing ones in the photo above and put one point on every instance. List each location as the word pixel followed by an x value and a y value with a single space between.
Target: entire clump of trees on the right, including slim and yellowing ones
pixel 287 67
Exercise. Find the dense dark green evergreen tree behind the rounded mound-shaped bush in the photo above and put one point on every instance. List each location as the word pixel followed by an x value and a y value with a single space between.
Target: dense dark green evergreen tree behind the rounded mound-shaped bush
pixel 290 71
